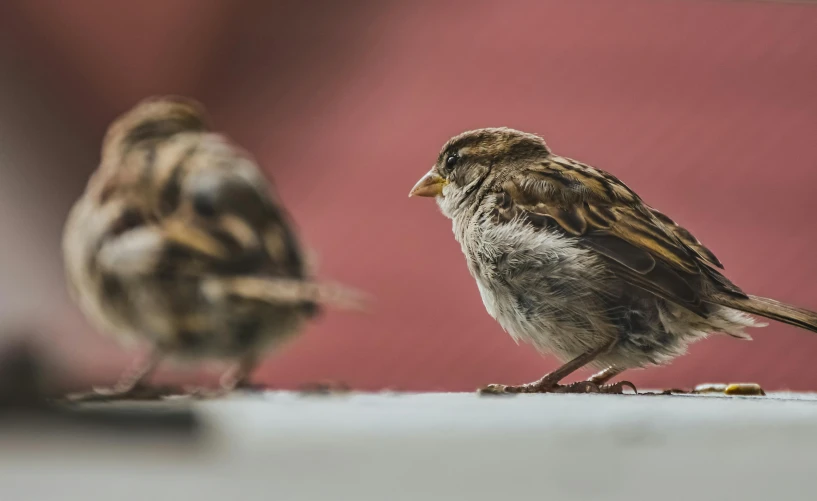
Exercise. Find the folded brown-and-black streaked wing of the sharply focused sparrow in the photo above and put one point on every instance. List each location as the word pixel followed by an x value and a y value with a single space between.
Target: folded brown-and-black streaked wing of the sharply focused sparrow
pixel 642 246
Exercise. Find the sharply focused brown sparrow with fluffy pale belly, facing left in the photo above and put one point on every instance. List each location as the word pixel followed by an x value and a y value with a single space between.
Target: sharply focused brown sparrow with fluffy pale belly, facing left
pixel 569 259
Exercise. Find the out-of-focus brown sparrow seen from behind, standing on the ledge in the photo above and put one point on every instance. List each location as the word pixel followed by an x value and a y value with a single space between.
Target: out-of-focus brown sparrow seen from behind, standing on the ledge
pixel 180 241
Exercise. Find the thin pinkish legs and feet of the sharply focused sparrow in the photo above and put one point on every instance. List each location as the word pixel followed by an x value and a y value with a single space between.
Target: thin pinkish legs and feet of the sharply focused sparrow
pixel 549 383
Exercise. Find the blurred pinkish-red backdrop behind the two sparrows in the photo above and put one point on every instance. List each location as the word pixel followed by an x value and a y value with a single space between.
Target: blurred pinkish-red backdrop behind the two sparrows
pixel 707 108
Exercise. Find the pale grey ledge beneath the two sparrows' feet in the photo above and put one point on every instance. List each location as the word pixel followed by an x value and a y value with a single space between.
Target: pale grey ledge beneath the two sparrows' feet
pixel 437 446
